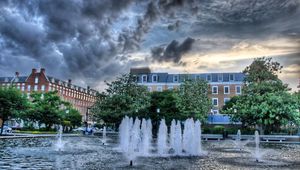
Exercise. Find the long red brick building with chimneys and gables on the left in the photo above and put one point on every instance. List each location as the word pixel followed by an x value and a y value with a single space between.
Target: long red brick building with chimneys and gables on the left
pixel 81 98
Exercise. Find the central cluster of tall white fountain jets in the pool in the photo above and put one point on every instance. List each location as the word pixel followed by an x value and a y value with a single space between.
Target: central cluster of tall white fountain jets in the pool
pixel 136 137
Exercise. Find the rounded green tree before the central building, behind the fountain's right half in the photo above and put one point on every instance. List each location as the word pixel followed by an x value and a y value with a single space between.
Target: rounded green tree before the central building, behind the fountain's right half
pixel 192 99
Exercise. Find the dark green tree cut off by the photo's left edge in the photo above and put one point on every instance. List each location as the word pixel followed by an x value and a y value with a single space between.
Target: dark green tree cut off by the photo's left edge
pixel 12 104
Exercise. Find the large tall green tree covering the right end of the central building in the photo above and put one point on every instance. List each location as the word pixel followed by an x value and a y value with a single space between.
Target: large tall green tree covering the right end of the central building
pixel 265 100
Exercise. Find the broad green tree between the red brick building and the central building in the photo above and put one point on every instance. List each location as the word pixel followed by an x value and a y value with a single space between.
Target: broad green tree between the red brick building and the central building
pixel 122 97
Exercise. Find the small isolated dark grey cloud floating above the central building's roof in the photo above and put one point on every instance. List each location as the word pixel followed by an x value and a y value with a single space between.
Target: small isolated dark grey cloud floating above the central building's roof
pixel 173 51
